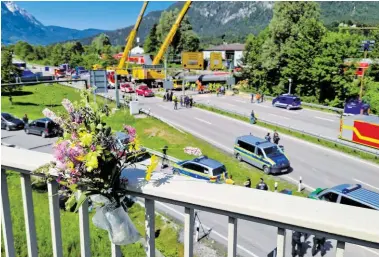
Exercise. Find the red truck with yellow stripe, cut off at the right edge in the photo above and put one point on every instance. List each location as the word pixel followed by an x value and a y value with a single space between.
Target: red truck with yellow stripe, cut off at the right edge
pixel 360 129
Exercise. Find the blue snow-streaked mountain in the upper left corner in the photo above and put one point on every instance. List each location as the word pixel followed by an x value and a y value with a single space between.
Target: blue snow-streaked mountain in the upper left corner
pixel 17 24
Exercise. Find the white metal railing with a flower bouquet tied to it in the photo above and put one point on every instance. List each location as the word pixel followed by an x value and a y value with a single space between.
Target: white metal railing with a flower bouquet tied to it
pixel 343 223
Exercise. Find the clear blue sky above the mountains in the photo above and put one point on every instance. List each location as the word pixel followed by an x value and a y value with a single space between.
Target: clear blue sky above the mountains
pixel 107 15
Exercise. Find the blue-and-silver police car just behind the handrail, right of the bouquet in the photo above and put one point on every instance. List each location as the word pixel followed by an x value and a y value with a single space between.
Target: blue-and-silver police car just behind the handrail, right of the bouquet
pixel 201 168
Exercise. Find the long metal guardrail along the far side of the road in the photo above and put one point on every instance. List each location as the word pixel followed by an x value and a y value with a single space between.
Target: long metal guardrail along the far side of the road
pixel 294 129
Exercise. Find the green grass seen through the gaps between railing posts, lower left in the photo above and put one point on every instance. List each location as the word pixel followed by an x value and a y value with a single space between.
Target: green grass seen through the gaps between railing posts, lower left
pixel 100 244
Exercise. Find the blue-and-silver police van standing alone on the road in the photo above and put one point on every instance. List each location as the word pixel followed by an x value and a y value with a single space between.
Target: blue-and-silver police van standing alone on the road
pixel 262 154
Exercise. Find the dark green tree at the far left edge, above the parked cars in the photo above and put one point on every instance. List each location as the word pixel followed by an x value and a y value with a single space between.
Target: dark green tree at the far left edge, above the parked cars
pixel 8 73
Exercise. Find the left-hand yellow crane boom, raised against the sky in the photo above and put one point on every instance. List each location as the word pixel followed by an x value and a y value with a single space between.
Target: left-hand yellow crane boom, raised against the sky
pixel 121 69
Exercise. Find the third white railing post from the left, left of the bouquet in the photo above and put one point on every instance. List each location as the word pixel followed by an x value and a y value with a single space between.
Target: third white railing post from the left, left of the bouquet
pixel 55 220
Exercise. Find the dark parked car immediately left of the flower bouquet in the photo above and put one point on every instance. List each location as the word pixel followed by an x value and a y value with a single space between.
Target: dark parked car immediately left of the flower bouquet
pixel 44 127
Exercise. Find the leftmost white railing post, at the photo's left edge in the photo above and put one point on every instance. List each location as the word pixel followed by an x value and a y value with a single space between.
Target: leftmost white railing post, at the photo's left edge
pixel 6 220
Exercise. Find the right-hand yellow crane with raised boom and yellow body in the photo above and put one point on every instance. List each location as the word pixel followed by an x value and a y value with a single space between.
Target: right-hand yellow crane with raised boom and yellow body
pixel 149 74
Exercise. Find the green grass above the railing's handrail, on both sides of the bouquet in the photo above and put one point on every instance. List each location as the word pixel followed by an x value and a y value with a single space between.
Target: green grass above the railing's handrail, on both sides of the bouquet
pixel 152 132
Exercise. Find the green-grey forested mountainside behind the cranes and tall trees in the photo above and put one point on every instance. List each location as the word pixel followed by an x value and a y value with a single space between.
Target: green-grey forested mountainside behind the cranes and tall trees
pixel 237 19
